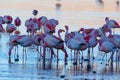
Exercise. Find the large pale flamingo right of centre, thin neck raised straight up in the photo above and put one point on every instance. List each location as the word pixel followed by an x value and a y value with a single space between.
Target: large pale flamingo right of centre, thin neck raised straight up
pixel 74 41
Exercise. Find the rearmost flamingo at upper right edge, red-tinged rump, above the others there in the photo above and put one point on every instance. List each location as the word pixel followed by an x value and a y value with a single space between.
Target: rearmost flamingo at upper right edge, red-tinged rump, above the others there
pixel 111 23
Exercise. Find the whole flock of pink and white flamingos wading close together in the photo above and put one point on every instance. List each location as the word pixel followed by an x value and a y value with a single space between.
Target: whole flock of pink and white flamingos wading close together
pixel 41 34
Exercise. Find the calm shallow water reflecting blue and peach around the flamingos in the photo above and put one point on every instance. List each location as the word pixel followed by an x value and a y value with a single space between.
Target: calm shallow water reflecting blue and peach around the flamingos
pixel 76 14
